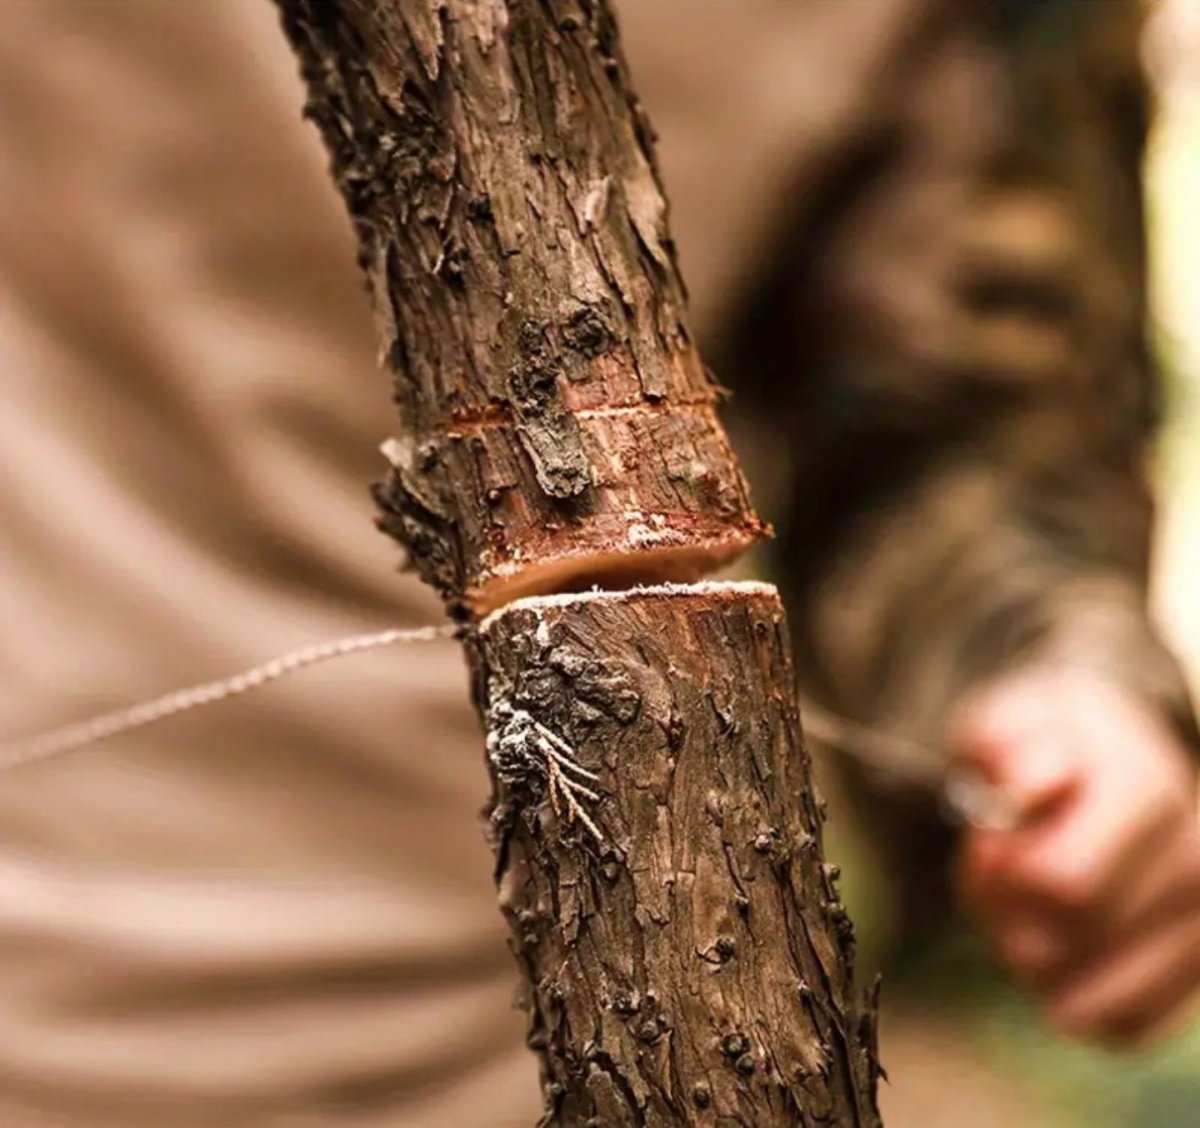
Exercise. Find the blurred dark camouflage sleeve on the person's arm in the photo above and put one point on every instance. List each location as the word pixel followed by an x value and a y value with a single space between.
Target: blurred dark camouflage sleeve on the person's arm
pixel 957 349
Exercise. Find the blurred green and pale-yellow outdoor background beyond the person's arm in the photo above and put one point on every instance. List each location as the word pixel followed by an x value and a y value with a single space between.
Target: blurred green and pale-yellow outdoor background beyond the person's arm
pixel 957 1041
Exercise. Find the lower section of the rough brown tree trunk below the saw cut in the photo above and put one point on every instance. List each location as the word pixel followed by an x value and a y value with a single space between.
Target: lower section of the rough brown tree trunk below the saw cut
pixel 659 859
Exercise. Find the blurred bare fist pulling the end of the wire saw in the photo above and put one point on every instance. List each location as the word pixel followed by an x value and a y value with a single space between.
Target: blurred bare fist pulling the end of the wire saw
pixel 1093 901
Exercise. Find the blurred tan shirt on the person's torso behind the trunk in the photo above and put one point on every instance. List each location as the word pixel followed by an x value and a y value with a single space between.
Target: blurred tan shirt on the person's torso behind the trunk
pixel 279 911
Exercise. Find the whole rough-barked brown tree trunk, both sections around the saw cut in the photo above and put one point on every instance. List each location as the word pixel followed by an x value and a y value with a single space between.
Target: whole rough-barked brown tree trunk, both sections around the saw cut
pixel 687 961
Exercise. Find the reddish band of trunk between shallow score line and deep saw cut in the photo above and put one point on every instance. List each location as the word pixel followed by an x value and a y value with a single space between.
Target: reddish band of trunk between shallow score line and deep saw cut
pixel 656 508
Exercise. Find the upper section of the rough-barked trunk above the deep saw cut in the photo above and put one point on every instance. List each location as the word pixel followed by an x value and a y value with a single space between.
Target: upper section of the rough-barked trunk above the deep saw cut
pixel 556 416
